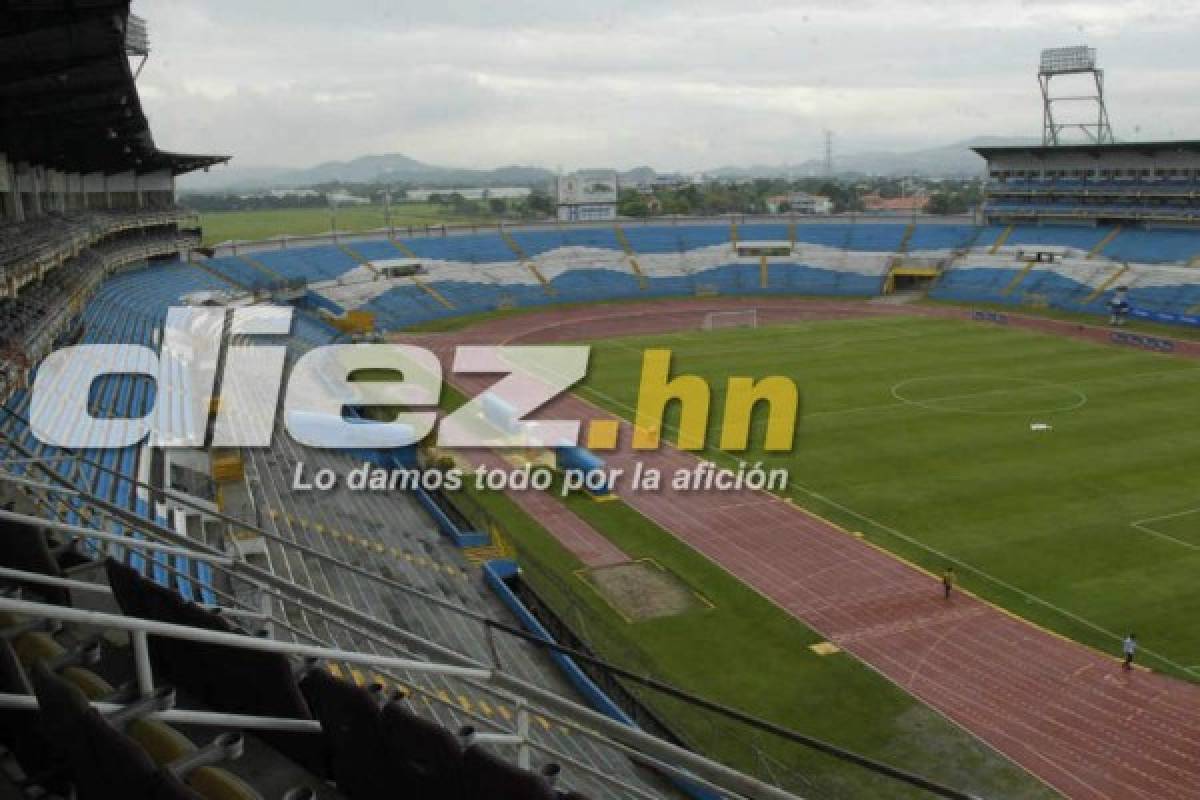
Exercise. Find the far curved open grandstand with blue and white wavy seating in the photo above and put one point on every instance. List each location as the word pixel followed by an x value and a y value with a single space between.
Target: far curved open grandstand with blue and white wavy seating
pixel 475 272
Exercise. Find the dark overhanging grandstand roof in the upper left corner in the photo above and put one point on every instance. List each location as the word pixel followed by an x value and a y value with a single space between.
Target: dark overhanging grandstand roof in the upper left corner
pixel 68 95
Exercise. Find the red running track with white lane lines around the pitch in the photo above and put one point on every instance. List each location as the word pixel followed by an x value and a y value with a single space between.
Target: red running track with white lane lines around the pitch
pixel 1064 712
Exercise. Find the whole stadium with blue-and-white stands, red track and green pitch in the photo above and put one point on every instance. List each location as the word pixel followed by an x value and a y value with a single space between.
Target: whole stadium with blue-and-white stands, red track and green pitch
pixel 992 488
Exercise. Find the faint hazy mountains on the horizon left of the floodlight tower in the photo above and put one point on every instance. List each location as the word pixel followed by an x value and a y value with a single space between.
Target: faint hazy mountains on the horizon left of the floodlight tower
pixel 949 161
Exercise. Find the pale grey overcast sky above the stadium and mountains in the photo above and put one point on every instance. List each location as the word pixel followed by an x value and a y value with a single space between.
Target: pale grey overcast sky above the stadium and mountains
pixel 677 85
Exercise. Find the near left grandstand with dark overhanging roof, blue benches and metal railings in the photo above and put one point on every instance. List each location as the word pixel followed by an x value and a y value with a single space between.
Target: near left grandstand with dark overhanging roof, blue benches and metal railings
pixel 171 634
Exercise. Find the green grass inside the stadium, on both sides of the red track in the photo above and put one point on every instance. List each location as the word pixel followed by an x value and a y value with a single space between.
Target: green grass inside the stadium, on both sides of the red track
pixel 916 432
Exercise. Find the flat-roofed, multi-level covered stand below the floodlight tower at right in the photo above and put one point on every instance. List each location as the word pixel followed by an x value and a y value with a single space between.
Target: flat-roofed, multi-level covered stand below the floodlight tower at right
pixel 1147 183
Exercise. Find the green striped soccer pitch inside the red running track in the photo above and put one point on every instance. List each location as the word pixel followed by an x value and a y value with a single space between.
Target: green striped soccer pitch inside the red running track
pixel 917 432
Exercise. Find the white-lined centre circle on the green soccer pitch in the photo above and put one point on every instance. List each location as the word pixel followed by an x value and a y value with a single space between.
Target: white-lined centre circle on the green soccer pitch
pixel 988 395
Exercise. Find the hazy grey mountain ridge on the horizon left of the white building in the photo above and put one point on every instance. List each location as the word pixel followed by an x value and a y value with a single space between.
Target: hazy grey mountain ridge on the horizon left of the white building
pixel 365 170
